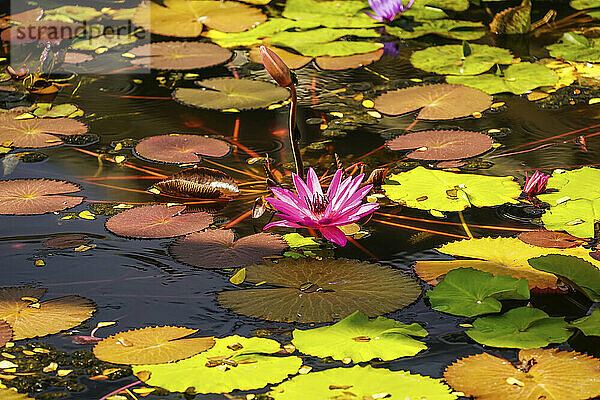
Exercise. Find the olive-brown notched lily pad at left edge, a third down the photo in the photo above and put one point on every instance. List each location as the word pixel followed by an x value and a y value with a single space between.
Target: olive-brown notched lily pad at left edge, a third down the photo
pixel 37 132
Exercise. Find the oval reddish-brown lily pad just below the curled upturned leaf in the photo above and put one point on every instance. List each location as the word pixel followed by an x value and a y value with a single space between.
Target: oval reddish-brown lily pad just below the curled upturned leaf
pixel 157 221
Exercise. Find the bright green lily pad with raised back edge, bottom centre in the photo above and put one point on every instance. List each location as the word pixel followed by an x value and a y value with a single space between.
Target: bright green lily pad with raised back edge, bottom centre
pixel 360 339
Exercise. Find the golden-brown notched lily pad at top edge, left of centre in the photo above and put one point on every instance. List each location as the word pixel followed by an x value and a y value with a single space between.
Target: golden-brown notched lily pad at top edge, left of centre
pixel 186 18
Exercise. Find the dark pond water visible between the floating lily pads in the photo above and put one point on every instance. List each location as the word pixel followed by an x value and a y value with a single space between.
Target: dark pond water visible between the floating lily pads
pixel 137 282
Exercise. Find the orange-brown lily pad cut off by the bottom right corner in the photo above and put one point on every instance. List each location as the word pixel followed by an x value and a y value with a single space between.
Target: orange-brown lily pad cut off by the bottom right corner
pixel 540 374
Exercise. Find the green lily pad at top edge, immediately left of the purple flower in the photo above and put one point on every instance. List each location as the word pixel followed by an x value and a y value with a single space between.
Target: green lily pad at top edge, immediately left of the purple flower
pixel 338 14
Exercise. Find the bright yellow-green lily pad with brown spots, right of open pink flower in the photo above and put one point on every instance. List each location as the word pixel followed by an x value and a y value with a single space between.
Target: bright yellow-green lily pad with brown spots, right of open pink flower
pixel 428 189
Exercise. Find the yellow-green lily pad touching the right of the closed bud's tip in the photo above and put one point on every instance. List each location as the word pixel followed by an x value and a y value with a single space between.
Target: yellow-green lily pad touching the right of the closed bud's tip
pixel 320 42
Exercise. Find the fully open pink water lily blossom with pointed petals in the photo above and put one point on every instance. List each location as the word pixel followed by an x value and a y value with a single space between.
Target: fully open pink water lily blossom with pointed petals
pixel 310 208
